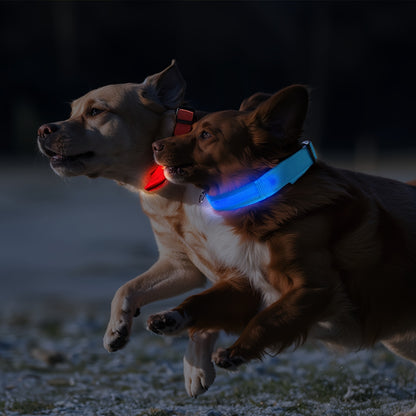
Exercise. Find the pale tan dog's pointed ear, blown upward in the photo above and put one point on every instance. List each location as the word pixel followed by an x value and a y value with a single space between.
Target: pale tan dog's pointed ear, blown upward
pixel 164 90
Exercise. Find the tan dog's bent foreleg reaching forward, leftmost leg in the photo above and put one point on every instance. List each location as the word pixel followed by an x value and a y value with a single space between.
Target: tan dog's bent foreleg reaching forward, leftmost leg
pixel 166 278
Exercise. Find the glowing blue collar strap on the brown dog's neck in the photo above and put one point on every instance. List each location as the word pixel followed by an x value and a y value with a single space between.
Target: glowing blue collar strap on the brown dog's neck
pixel 286 172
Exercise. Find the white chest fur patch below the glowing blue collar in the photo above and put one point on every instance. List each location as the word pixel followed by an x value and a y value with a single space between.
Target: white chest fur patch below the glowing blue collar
pixel 216 250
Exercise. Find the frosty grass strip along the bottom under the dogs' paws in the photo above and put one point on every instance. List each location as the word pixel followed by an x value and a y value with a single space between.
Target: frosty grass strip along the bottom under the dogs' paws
pixel 145 379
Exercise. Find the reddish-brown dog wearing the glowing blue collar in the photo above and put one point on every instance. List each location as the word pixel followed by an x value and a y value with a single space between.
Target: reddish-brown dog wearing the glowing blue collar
pixel 337 247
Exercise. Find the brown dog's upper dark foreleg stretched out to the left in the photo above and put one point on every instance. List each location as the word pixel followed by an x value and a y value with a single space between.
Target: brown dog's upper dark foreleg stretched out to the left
pixel 228 305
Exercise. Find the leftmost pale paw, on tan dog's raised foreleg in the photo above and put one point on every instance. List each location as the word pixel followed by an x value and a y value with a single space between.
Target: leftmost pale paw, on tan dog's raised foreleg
pixel 118 330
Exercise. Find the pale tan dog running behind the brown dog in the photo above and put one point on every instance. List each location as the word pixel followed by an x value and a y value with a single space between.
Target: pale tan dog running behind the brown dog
pixel 109 134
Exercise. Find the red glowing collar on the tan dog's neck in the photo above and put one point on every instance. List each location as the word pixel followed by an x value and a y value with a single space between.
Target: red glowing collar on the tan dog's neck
pixel 155 177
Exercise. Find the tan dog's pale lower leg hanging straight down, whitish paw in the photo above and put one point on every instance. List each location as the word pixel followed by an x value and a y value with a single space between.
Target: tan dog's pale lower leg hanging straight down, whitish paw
pixel 199 370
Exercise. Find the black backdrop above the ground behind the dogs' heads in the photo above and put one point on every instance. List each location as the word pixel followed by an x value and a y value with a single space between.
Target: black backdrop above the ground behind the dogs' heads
pixel 358 57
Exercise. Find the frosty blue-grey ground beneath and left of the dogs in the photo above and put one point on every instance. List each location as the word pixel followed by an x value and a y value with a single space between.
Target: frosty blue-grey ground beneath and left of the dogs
pixel 66 246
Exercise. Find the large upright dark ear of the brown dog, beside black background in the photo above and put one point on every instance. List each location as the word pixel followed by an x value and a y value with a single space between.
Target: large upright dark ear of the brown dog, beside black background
pixel 281 117
